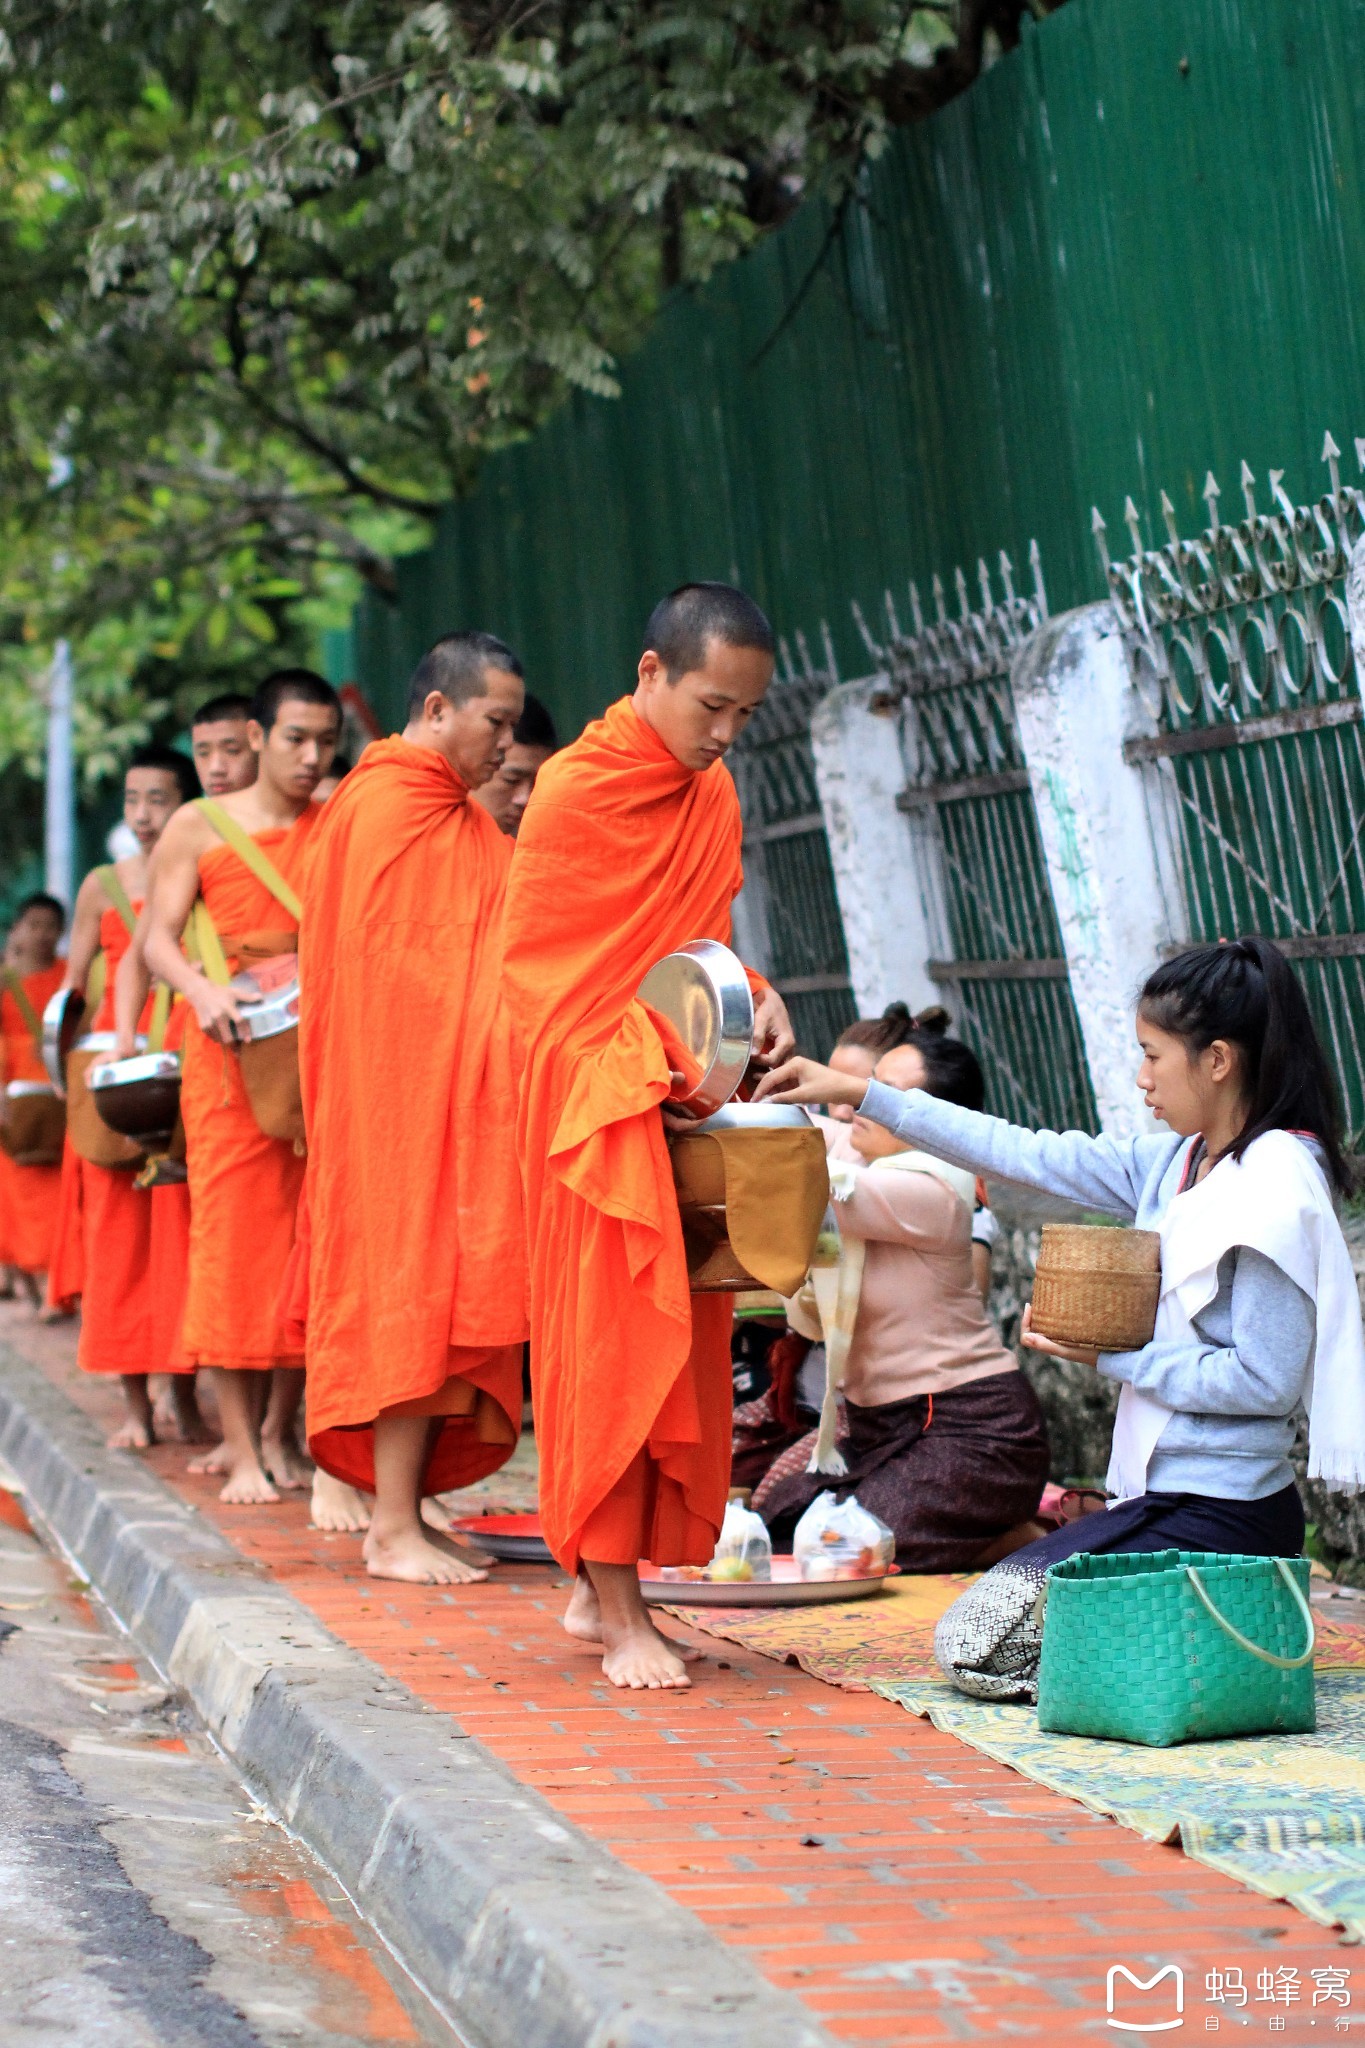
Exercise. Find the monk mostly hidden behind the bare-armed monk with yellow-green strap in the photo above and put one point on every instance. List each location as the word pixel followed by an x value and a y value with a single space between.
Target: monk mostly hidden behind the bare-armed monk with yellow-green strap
pixel 224 761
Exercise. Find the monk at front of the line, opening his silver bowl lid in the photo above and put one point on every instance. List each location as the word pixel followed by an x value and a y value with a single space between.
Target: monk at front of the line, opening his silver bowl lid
pixel 631 847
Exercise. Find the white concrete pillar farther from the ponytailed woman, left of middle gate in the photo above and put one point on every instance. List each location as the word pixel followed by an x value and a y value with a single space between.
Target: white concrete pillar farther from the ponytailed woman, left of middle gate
pixel 885 871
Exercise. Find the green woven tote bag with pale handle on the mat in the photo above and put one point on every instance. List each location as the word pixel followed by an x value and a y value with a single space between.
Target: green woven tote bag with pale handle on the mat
pixel 1176 1648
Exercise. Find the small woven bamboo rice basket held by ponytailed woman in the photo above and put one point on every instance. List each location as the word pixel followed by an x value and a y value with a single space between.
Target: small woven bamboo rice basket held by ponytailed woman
pixel 1098 1287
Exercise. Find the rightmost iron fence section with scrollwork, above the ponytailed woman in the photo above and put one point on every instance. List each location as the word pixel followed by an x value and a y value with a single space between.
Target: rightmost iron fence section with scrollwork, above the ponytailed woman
pixel 1256 769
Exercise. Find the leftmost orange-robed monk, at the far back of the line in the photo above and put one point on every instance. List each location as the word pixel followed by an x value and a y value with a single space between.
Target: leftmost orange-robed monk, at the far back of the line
pixel 30 1195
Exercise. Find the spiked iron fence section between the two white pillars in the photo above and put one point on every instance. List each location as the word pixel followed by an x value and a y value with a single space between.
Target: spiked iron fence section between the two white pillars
pixel 979 855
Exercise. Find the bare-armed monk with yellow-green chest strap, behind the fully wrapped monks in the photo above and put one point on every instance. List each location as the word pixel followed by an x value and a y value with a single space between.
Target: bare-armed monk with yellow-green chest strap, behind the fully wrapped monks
pixel 245 1187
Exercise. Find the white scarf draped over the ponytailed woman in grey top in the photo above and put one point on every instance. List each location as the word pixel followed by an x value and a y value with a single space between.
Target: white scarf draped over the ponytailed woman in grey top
pixel 1274 1201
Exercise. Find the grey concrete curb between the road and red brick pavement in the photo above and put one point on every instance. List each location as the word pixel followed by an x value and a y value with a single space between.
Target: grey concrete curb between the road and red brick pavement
pixel 521 1930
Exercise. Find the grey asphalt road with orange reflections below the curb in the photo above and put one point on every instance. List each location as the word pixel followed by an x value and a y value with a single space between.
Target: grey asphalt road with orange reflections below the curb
pixel 144 1900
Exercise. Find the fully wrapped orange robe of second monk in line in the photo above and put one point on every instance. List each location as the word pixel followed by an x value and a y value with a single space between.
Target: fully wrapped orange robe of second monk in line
pixel 416 1281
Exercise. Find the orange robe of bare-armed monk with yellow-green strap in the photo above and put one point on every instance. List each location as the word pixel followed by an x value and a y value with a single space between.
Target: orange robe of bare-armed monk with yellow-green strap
pixel 245 1187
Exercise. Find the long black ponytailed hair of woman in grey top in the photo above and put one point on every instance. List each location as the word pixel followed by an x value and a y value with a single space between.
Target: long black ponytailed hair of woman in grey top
pixel 1247 994
